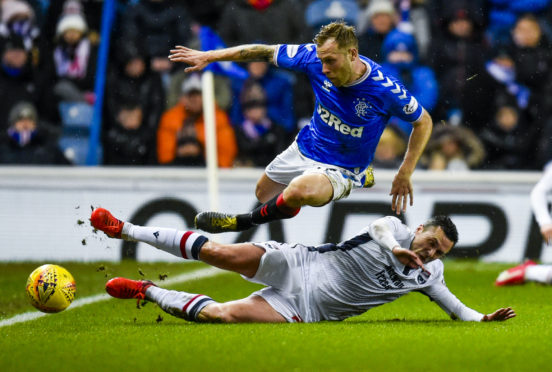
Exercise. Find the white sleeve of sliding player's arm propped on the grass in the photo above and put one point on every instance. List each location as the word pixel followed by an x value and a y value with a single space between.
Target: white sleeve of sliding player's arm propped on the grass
pixel 443 297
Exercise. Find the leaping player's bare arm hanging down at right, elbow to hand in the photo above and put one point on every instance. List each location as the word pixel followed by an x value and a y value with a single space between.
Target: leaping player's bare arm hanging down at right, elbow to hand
pixel 401 188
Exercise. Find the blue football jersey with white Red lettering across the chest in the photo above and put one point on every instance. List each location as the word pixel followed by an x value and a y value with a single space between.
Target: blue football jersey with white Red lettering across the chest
pixel 347 121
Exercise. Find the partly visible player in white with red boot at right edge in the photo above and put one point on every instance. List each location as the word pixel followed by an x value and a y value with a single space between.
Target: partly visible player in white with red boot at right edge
pixel 529 271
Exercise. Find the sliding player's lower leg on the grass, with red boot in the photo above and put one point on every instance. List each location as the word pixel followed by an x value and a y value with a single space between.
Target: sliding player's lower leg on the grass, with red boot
pixel 195 307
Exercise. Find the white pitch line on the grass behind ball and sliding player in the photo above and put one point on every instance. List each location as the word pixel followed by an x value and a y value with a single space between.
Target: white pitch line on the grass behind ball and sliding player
pixel 25 317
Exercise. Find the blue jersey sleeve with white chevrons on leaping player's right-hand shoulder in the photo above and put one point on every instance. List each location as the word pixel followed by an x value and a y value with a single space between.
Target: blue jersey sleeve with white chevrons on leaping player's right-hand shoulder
pixel 398 100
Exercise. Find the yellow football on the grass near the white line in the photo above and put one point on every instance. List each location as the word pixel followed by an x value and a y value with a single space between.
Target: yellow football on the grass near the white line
pixel 51 288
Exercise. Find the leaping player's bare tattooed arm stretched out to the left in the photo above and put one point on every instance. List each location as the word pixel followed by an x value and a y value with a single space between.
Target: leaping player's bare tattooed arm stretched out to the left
pixel 198 59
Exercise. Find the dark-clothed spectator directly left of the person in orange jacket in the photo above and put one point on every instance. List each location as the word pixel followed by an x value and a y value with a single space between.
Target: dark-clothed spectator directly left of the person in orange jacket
pixel 129 141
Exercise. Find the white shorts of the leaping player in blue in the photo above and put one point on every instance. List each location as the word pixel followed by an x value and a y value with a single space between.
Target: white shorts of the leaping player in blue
pixel 291 163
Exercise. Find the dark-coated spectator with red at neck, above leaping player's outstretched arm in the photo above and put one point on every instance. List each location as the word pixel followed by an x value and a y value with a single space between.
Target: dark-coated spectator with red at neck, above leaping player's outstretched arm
pixel 255 18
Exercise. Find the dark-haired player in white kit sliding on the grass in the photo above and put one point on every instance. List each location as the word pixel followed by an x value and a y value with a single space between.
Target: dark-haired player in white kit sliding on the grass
pixel 304 283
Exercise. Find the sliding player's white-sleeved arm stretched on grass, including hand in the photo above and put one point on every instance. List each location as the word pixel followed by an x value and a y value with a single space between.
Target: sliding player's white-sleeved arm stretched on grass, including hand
pixel 439 293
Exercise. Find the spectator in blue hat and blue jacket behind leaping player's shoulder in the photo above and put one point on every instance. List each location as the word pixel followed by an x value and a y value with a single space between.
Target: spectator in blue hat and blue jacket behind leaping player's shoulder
pixel 400 54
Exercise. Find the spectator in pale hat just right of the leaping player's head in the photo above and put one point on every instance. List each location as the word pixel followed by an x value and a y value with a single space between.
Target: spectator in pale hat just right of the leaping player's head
pixel 377 21
